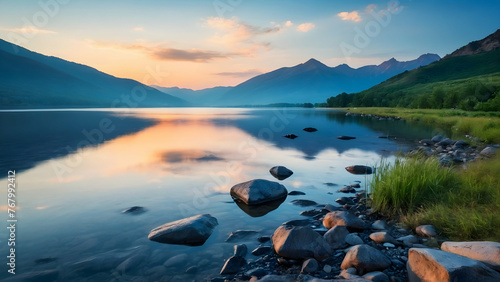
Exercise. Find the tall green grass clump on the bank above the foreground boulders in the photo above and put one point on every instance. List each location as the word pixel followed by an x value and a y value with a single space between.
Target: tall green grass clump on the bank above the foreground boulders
pixel 462 203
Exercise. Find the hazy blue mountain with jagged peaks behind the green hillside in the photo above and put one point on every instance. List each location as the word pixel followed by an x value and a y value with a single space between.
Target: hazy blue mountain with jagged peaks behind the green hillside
pixel 313 81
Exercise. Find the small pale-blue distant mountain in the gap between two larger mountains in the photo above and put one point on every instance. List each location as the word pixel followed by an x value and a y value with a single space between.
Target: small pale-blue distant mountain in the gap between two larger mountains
pixel 203 97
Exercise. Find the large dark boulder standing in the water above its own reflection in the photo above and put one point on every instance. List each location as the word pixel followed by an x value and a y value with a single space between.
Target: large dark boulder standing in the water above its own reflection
pixel 258 191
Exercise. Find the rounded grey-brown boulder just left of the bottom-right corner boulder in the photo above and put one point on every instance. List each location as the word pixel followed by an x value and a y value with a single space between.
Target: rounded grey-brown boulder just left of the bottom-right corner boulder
pixel 365 259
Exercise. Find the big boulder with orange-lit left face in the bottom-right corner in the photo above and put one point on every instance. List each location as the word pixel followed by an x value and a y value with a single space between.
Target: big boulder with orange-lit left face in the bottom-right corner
pixel 436 265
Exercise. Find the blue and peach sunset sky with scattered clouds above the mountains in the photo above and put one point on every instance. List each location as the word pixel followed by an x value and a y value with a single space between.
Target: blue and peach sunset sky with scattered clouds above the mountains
pixel 206 43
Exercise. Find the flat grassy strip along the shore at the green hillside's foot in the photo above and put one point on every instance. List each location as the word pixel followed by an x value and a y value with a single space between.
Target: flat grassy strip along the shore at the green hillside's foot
pixel 485 125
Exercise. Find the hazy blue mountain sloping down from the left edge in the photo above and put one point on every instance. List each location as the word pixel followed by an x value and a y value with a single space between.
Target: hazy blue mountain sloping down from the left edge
pixel 33 80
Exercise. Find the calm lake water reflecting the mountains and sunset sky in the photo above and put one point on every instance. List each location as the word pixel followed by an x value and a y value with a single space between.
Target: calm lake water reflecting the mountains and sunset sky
pixel 76 170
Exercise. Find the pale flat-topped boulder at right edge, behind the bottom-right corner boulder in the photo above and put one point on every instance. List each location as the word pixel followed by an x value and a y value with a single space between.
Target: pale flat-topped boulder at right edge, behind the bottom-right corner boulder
pixel 485 252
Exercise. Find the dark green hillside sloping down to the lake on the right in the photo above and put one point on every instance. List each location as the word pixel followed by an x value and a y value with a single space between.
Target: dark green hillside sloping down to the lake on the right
pixel 467 82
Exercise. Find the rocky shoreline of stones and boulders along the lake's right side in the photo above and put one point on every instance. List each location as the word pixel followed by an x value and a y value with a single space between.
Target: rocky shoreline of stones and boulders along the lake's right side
pixel 354 243
